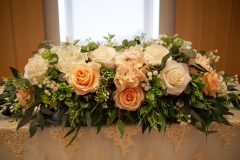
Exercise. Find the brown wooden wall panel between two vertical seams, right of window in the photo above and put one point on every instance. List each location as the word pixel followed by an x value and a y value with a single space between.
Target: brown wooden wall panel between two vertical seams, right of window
pixel 216 29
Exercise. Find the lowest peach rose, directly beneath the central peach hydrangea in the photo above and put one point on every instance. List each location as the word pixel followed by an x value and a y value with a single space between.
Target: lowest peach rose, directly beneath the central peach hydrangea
pixel 129 99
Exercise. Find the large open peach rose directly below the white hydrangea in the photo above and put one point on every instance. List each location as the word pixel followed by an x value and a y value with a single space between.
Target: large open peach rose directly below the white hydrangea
pixel 84 77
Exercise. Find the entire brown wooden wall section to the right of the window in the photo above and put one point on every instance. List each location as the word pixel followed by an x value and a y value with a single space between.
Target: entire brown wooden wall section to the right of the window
pixel 210 25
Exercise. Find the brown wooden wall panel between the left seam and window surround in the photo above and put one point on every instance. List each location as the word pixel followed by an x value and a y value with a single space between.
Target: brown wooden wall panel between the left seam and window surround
pixel 28 28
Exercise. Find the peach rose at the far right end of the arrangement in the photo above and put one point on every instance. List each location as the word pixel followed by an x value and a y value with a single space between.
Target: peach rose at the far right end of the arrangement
pixel 212 79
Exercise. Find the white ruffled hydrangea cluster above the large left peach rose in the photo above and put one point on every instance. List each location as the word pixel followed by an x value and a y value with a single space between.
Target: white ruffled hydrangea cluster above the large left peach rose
pixel 68 56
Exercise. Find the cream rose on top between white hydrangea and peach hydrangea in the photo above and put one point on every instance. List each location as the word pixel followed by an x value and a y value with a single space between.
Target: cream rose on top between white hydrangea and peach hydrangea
pixel 104 55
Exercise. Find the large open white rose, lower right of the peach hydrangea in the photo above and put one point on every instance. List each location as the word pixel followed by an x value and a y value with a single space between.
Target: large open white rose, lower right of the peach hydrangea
pixel 175 77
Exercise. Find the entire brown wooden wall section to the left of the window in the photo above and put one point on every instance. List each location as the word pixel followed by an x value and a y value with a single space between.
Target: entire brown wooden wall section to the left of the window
pixel 21 30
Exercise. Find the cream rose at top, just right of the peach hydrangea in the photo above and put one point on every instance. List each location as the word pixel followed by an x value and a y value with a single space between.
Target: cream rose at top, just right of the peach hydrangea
pixel 155 53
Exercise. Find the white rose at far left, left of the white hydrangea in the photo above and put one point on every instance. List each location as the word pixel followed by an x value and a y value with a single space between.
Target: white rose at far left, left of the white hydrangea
pixel 35 67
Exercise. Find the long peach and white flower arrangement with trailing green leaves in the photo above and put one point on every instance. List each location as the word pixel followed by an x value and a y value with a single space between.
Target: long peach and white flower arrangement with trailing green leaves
pixel 148 83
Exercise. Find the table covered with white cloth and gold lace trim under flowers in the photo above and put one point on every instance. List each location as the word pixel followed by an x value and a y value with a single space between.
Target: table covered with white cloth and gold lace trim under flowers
pixel 177 143
